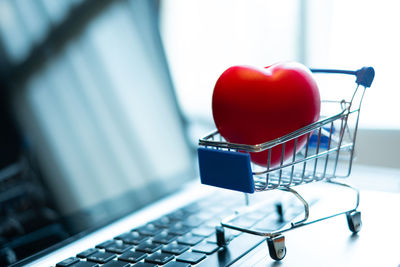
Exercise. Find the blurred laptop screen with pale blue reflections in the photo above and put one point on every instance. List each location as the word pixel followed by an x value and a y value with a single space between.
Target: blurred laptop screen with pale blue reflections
pixel 100 123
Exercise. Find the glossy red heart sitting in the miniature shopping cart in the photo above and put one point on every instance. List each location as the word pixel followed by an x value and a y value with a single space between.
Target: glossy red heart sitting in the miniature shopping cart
pixel 254 105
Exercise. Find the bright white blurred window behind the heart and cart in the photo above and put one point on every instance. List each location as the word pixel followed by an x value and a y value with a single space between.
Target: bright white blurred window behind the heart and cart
pixel 203 38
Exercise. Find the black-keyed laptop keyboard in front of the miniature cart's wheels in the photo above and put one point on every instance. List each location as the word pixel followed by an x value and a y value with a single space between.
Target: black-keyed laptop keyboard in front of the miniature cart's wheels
pixel 183 238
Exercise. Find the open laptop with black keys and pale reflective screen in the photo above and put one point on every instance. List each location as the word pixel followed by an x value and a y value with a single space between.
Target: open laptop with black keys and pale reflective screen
pixel 115 161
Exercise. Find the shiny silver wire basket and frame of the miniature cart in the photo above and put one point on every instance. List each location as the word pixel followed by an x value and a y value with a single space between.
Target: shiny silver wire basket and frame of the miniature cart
pixel 300 168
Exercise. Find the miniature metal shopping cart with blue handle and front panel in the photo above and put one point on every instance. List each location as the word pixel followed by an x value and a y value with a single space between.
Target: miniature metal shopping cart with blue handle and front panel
pixel 327 154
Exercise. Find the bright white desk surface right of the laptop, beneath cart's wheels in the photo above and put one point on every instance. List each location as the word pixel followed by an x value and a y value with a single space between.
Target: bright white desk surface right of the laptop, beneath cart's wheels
pixel 330 242
